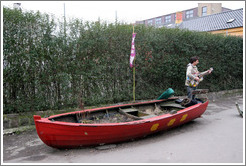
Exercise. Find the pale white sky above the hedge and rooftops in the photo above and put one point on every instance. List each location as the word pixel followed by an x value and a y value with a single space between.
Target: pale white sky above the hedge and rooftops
pixel 124 11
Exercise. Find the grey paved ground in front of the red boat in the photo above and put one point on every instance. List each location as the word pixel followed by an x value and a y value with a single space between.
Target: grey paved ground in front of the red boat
pixel 216 137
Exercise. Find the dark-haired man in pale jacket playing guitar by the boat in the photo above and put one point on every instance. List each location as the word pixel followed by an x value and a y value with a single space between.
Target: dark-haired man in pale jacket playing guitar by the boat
pixel 193 76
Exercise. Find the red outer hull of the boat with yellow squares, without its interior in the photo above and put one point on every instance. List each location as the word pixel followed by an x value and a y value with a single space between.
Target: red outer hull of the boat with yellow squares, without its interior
pixel 70 135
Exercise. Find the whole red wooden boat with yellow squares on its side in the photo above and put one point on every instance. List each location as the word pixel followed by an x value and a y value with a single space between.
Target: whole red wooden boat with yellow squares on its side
pixel 115 123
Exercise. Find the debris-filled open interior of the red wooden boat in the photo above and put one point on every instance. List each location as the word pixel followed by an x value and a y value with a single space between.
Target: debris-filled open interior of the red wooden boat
pixel 127 113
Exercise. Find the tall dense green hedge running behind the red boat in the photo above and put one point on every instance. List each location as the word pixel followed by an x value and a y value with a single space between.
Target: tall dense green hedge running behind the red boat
pixel 52 65
